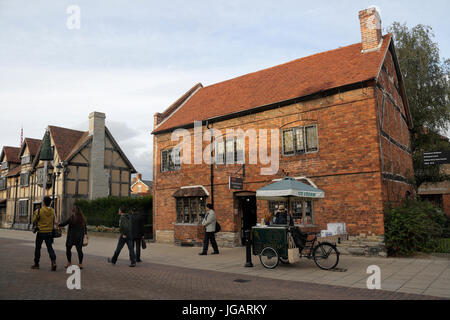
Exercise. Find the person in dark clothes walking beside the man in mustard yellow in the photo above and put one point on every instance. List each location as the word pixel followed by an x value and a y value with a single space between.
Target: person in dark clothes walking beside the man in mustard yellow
pixel 75 234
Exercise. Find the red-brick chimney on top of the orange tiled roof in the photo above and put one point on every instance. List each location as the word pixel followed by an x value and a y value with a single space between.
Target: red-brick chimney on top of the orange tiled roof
pixel 370 22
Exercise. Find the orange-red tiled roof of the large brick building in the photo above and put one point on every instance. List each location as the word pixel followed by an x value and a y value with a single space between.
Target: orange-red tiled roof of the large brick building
pixel 298 78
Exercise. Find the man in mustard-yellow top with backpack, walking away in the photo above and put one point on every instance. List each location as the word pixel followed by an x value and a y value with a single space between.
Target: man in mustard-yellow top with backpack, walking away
pixel 44 219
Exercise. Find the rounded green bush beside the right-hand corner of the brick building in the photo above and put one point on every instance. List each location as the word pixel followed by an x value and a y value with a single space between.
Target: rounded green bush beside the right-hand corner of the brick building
pixel 413 227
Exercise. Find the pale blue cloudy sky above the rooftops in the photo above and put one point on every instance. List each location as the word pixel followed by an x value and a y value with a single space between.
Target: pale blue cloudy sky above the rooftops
pixel 131 59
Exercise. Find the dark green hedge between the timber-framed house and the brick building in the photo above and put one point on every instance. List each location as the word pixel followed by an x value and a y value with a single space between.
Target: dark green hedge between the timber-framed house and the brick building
pixel 104 211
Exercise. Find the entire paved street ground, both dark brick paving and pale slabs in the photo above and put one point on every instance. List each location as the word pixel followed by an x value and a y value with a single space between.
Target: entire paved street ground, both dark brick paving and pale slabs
pixel 173 272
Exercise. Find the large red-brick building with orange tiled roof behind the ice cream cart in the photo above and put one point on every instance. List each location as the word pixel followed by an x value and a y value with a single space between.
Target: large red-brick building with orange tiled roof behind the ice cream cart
pixel 343 122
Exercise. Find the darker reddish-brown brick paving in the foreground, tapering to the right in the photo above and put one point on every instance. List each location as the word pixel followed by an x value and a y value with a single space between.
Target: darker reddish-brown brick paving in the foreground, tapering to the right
pixel 100 280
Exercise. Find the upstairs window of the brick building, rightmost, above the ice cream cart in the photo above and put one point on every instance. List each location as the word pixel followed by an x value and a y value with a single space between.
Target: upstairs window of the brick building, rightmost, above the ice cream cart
pixel 300 140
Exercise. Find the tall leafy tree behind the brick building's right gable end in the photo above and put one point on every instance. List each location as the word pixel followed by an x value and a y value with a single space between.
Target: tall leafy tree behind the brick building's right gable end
pixel 426 78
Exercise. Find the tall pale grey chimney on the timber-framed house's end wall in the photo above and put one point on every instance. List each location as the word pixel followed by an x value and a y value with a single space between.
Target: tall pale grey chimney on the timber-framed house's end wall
pixel 98 179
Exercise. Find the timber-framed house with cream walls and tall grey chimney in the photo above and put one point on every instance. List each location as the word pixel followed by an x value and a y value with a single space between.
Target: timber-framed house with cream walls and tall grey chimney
pixel 86 165
